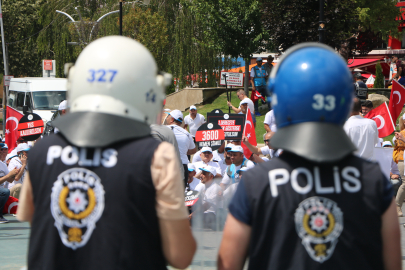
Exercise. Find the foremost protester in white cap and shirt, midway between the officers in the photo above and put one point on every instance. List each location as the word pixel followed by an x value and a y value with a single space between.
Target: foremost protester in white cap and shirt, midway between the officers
pixel 212 200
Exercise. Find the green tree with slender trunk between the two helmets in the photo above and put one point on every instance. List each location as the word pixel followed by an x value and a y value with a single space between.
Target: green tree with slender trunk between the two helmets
pixel 234 27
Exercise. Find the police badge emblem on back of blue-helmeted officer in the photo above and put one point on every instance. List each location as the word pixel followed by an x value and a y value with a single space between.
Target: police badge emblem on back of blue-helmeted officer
pixel 319 223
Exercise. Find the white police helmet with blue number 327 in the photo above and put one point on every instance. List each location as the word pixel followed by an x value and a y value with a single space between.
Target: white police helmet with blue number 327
pixel 115 93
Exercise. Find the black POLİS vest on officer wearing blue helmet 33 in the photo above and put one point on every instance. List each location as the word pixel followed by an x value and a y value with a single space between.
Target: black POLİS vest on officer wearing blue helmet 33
pixel 306 215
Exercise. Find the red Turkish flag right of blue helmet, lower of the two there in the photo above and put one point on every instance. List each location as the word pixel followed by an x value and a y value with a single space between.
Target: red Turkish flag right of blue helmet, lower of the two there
pixel 382 117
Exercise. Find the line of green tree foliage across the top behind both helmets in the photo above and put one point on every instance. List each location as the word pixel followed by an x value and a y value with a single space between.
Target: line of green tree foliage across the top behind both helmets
pixel 192 39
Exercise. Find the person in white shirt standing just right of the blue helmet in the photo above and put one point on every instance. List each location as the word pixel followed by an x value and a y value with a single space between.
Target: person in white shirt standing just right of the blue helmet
pixel 363 132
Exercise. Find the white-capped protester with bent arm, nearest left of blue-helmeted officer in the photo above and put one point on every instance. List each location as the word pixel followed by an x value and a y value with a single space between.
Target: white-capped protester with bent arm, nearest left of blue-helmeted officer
pixel 238 161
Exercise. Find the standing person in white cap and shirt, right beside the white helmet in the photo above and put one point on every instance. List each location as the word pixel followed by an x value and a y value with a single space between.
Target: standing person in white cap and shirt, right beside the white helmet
pixel 184 139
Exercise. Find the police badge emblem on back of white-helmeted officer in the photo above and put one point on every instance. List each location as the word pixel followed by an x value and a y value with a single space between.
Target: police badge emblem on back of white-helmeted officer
pixel 77 203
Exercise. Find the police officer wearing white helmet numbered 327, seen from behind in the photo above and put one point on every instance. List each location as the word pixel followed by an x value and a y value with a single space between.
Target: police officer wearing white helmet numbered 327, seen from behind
pixel 102 193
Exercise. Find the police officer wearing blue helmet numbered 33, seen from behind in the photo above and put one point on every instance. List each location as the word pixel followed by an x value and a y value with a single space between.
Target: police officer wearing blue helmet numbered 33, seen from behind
pixel 317 206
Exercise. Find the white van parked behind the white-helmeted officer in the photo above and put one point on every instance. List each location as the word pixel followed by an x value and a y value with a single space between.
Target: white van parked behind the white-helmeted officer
pixel 41 95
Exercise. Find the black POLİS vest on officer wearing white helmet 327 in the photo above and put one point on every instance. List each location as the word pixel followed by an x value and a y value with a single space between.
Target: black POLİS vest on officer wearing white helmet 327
pixel 94 208
